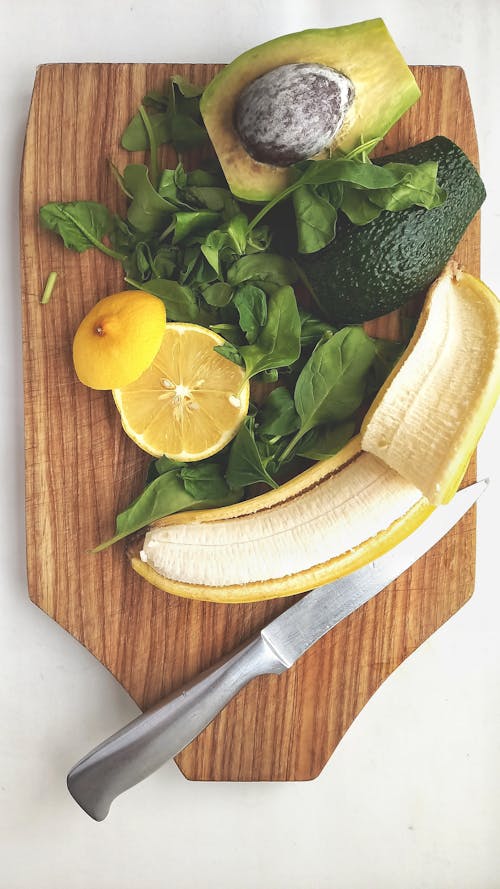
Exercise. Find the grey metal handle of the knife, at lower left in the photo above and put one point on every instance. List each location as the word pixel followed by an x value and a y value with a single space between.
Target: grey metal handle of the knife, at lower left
pixel 147 742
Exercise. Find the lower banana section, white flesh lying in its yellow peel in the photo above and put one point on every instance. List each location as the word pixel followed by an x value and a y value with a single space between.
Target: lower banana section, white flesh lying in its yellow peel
pixel 323 524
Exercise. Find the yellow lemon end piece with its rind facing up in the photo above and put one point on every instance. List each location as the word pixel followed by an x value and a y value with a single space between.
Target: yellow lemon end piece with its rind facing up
pixel 118 339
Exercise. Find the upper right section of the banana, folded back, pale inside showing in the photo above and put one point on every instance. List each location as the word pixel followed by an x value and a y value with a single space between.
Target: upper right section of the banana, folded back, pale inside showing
pixel 428 417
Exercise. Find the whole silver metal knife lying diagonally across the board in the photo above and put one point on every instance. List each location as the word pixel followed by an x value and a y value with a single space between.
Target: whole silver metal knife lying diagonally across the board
pixel 146 743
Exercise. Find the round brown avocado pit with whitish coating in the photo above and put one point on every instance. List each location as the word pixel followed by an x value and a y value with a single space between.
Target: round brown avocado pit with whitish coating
pixel 292 112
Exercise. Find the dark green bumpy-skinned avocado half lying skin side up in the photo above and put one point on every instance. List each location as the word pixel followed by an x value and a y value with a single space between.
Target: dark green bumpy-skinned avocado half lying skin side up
pixel 370 270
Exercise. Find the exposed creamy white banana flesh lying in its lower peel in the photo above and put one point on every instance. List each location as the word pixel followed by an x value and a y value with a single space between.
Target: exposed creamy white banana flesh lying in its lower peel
pixel 341 512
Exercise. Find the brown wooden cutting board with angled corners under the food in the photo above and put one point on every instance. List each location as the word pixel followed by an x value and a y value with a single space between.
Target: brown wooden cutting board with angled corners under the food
pixel 81 469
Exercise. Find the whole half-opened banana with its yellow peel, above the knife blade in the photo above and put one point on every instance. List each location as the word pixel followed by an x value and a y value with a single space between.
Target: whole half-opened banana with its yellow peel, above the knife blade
pixel 416 442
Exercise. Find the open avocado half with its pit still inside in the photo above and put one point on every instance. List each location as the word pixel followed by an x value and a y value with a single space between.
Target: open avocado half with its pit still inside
pixel 361 56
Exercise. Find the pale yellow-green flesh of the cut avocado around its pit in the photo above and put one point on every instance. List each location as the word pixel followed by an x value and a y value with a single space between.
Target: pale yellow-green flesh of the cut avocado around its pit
pixel 383 89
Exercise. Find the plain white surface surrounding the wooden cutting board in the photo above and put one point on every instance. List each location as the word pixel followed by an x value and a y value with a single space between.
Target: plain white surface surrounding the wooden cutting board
pixel 411 797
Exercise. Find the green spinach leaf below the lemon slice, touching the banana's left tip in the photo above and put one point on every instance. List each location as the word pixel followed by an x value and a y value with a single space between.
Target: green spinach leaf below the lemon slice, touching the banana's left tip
pixel 170 493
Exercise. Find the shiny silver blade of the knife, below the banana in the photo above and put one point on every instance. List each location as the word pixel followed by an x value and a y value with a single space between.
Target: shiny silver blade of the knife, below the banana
pixel 294 631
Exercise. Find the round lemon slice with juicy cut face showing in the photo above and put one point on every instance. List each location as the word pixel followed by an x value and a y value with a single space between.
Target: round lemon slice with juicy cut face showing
pixel 190 402
